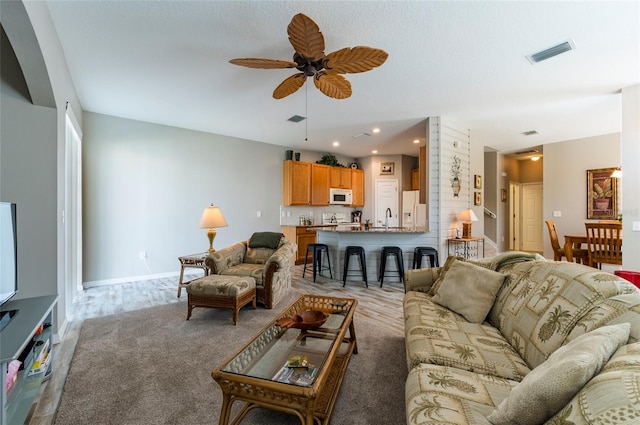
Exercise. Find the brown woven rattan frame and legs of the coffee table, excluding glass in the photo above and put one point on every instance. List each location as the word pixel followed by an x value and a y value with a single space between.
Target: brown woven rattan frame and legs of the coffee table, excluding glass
pixel 311 405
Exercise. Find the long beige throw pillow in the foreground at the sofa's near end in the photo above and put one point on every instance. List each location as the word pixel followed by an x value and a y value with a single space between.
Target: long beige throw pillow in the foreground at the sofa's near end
pixel 550 386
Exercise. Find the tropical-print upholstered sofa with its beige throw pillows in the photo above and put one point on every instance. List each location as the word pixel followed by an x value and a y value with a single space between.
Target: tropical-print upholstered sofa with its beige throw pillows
pixel 516 339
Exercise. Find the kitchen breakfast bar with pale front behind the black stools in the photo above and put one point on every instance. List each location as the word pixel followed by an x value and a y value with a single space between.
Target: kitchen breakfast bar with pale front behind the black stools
pixel 372 240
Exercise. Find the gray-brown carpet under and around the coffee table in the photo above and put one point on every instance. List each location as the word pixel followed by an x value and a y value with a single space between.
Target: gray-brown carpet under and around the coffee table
pixel 152 366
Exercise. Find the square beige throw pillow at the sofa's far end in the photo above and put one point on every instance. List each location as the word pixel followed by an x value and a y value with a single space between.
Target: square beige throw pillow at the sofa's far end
pixel 469 290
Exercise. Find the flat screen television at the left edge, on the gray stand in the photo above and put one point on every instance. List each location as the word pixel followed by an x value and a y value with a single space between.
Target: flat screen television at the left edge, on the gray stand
pixel 8 258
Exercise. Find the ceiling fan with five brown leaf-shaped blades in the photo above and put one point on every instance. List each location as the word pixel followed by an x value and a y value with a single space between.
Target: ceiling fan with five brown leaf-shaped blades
pixel 310 60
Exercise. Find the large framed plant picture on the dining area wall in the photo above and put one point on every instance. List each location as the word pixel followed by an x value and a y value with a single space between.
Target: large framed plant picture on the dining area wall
pixel 602 194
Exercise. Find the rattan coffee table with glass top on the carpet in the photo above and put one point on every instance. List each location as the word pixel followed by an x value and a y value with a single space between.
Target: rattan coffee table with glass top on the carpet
pixel 296 371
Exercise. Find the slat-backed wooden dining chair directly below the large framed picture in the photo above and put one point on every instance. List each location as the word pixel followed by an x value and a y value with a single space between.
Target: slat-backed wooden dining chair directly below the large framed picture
pixel 604 243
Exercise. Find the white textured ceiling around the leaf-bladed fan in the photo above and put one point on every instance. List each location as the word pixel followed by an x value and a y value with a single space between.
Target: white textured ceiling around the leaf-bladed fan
pixel 167 62
